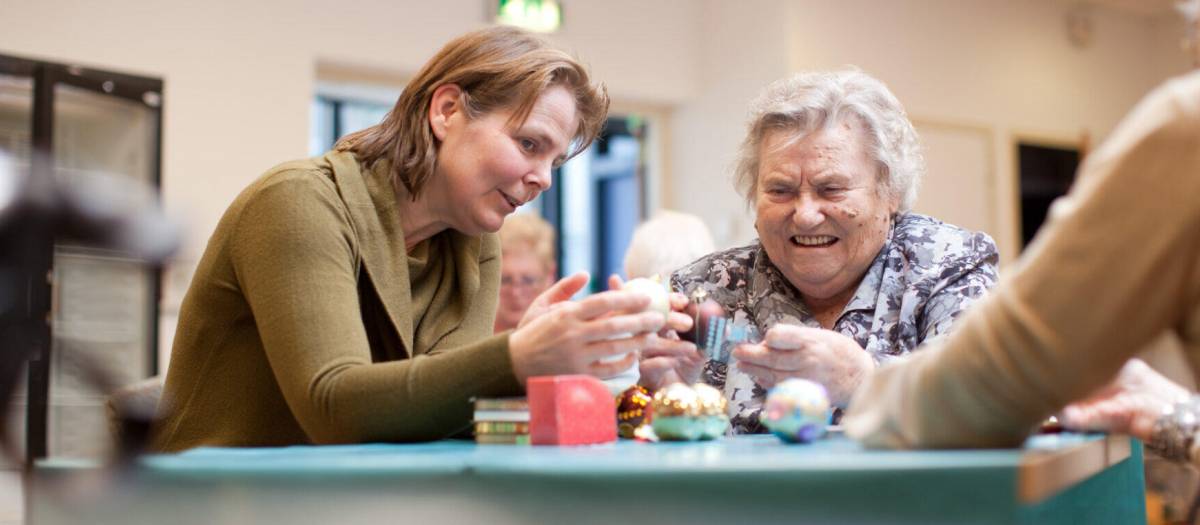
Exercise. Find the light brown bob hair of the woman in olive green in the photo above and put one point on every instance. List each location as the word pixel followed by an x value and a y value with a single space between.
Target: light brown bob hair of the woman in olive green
pixel 499 68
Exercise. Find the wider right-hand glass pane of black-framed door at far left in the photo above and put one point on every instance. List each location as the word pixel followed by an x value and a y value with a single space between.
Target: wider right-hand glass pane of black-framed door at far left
pixel 106 131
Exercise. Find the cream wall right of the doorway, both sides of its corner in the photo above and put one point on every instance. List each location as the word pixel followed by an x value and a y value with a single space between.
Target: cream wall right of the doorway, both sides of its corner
pixel 1004 68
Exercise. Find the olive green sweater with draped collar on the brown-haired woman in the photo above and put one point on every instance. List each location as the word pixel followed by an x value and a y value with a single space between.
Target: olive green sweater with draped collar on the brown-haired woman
pixel 308 323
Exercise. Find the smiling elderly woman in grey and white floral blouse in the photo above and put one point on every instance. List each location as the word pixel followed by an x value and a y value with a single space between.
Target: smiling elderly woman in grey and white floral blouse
pixel 844 276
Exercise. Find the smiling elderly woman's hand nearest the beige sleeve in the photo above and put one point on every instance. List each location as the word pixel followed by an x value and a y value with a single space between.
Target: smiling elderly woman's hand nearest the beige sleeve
pixel 825 357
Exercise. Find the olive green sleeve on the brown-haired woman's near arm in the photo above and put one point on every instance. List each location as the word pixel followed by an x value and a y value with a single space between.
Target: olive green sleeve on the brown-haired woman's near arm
pixel 297 260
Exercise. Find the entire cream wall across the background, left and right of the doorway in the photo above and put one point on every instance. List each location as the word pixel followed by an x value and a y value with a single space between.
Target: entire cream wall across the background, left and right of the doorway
pixel 241 76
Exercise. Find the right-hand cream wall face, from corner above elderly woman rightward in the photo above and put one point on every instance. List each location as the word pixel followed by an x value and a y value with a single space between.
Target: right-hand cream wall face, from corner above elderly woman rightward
pixel 1009 67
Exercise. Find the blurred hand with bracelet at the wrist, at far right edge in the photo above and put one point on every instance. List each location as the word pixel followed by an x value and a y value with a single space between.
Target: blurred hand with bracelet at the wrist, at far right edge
pixel 1131 405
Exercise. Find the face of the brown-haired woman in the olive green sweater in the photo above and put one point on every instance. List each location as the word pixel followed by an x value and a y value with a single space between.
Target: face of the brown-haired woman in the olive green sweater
pixel 487 167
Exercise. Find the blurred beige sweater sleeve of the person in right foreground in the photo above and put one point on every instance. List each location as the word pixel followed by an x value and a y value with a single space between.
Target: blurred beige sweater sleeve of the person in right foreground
pixel 1114 267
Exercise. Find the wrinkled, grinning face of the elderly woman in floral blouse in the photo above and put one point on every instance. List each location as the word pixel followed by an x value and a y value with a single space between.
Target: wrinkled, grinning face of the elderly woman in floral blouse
pixel 821 215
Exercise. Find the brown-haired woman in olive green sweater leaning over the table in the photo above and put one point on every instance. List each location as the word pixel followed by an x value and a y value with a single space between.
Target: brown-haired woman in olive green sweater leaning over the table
pixel 351 298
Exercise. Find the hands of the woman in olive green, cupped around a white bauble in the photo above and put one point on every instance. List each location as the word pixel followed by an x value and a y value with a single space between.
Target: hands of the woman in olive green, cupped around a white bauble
pixel 568 337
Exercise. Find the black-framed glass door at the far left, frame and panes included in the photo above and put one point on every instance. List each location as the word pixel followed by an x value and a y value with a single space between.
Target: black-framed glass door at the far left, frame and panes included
pixel 88 143
